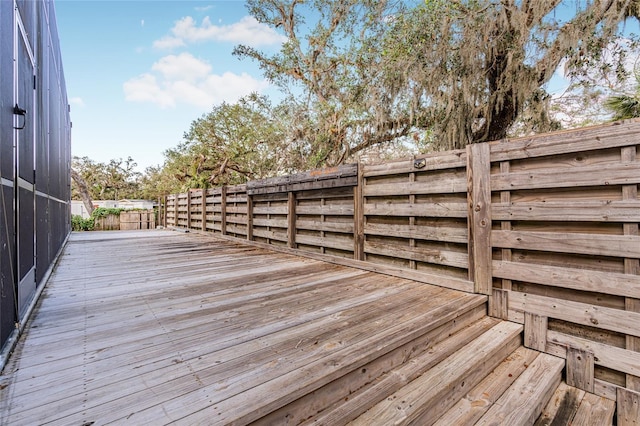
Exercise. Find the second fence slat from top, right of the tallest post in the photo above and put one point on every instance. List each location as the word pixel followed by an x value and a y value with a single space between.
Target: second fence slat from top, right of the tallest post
pixel 599 175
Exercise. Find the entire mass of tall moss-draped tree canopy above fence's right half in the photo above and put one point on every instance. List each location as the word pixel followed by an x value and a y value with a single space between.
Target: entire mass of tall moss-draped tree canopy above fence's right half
pixel 446 72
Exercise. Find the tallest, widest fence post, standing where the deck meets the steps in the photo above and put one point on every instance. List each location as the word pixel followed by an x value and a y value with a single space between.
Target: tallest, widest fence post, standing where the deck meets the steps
pixel 479 216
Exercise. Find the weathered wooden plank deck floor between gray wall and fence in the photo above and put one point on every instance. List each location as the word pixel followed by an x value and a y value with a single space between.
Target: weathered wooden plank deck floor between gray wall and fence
pixel 158 327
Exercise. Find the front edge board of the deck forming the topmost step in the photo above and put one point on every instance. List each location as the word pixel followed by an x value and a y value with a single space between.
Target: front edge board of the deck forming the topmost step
pixel 253 403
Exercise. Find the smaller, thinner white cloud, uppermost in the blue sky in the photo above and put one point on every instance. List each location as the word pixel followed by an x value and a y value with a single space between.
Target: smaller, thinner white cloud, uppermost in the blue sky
pixel 247 31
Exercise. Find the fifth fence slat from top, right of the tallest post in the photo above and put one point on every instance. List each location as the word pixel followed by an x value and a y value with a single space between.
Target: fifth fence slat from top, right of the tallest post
pixel 576 279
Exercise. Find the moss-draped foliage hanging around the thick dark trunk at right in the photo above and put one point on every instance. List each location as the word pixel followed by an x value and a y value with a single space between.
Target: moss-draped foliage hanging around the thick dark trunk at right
pixel 476 70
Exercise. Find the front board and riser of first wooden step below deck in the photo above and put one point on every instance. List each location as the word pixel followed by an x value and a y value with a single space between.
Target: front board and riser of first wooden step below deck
pixel 423 400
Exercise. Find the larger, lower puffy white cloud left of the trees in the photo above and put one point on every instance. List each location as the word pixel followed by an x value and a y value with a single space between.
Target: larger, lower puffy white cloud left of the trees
pixel 184 79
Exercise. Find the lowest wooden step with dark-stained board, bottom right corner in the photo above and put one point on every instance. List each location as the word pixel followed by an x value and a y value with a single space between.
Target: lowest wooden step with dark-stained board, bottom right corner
pixel 570 405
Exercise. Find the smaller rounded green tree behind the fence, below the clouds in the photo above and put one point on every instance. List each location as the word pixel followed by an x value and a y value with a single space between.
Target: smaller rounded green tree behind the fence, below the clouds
pixel 233 143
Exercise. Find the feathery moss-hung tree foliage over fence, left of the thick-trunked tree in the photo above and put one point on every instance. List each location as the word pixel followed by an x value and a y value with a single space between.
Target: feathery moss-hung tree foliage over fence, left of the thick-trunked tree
pixel 330 68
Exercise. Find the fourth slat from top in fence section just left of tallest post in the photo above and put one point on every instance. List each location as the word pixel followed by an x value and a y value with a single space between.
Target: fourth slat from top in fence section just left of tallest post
pixel 419 232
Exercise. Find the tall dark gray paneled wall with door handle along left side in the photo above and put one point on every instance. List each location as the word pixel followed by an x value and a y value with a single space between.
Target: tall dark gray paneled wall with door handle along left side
pixel 34 161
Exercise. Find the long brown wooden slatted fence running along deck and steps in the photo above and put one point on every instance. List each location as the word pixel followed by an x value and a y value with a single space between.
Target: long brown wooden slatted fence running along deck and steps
pixel 546 226
